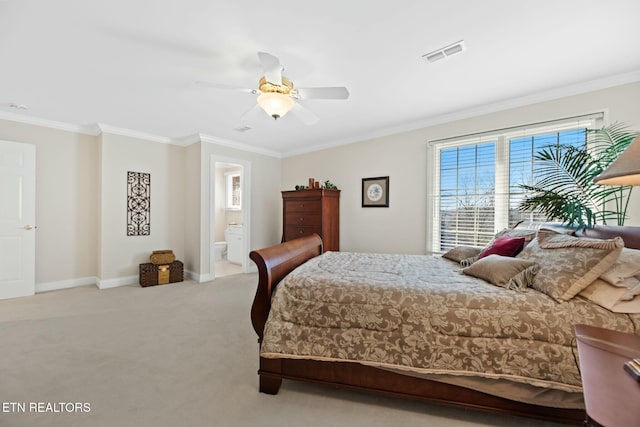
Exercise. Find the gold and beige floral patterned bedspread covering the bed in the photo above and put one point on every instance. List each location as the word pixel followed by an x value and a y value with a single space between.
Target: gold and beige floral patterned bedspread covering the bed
pixel 420 314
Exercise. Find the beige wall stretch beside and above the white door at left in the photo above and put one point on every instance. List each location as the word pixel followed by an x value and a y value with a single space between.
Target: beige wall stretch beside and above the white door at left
pixel 66 200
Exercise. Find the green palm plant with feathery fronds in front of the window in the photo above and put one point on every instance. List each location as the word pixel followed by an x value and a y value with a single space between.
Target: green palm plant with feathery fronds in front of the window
pixel 564 189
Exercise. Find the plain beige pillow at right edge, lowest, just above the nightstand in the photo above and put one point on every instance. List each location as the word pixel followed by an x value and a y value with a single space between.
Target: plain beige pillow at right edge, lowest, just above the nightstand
pixel 613 297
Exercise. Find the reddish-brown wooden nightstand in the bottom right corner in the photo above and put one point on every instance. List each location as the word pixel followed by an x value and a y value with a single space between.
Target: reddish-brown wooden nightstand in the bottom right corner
pixel 611 395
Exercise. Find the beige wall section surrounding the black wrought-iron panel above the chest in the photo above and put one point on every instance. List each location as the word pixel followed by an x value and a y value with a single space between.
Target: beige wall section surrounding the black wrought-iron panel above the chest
pixel 121 254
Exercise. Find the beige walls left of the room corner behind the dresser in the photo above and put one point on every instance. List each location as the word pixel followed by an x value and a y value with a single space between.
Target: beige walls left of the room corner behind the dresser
pixel 81 203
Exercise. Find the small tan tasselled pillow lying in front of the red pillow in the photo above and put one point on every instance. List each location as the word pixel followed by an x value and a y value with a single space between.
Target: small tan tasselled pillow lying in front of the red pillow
pixel 504 271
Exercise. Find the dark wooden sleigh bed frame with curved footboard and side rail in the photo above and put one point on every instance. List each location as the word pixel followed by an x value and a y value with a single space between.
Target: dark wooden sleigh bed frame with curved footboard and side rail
pixel 275 262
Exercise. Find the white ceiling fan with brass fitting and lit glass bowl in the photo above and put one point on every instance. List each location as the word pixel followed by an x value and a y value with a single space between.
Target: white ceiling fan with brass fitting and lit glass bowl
pixel 277 95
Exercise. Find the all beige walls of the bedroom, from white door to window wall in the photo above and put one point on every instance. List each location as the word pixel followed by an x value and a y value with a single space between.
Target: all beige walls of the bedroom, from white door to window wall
pixel 81 190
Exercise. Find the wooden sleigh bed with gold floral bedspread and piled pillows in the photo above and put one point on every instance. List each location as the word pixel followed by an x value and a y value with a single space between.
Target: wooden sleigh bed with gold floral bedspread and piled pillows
pixel 415 327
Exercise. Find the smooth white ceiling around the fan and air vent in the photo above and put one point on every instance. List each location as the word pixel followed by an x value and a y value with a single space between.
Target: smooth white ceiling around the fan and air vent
pixel 133 64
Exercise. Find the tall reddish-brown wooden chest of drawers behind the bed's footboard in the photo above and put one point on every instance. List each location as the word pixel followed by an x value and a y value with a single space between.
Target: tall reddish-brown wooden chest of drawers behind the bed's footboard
pixel 312 211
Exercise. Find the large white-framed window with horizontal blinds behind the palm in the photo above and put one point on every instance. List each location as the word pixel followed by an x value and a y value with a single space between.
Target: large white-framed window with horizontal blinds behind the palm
pixel 476 179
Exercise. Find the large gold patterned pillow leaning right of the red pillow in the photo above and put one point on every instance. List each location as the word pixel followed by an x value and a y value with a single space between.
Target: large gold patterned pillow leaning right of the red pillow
pixel 569 264
